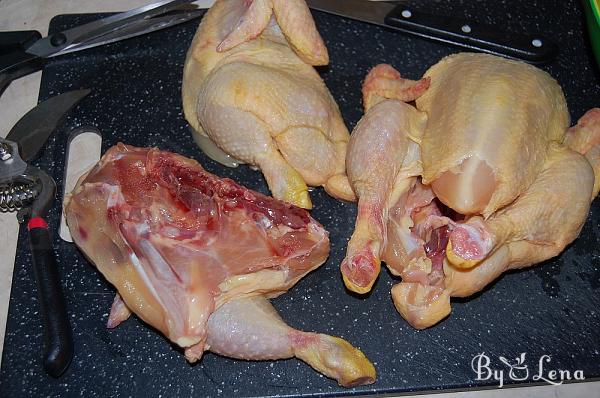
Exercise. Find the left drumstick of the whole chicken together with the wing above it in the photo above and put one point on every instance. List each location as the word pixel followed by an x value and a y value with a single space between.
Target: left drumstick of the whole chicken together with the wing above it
pixel 389 130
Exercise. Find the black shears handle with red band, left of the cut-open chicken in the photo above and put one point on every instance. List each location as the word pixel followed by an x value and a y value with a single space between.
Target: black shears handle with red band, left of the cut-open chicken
pixel 58 339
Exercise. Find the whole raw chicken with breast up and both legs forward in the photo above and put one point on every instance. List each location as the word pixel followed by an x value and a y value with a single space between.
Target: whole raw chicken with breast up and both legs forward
pixel 481 177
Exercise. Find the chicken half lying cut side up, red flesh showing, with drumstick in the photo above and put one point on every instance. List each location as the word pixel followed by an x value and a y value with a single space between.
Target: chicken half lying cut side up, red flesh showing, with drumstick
pixel 196 257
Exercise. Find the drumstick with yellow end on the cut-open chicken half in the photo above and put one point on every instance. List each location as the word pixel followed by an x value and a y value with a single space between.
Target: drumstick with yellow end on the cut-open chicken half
pixel 250 328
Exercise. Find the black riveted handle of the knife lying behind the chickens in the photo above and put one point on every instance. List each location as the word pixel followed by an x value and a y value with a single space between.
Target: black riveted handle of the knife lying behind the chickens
pixel 532 49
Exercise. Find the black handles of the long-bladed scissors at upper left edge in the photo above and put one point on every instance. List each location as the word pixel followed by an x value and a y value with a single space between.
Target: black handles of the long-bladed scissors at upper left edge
pixel 15 62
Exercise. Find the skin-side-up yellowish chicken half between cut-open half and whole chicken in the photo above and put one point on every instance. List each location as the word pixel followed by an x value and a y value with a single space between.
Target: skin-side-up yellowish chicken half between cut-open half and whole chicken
pixel 249 89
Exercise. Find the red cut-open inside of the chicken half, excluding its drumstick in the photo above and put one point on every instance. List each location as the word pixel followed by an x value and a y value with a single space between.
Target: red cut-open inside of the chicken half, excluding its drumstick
pixel 167 234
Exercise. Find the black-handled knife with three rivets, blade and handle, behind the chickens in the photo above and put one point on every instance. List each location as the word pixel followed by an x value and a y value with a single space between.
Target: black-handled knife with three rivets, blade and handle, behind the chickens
pixel 534 49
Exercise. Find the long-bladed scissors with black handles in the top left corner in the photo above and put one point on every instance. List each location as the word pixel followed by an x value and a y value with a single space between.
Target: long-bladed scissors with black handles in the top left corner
pixel 24 52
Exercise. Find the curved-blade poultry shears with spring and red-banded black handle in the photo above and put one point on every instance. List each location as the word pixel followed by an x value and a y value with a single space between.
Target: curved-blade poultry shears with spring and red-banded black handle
pixel 30 191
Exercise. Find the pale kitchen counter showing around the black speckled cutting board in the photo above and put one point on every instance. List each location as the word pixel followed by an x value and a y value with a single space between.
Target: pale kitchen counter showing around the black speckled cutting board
pixel 22 95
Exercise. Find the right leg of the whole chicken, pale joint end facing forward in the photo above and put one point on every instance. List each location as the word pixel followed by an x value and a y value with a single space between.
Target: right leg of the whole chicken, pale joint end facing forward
pixel 536 227
